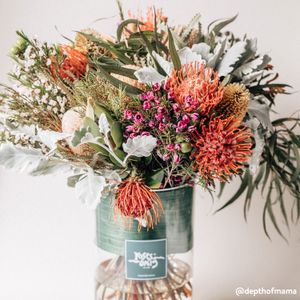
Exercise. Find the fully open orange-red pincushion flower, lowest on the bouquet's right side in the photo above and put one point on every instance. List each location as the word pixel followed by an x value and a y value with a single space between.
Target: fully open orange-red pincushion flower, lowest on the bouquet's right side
pixel 222 148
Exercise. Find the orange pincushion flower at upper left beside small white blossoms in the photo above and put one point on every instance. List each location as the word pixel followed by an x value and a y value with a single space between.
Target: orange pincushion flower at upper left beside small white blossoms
pixel 73 65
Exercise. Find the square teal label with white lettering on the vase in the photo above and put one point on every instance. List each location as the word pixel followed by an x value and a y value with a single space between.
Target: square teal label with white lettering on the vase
pixel 146 259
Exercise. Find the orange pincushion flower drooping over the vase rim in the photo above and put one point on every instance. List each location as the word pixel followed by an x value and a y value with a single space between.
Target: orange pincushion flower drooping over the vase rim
pixel 135 200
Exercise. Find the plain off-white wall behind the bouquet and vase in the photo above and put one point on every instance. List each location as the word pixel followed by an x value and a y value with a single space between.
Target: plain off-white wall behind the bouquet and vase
pixel 47 238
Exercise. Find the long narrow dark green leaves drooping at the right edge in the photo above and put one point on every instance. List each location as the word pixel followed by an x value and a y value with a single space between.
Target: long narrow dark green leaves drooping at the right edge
pixel 278 174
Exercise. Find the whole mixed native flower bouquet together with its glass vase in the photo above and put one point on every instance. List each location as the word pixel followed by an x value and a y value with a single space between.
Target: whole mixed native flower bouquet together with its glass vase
pixel 137 120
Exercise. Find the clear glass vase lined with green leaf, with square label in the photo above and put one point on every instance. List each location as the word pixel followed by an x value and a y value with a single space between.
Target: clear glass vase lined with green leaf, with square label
pixel 150 264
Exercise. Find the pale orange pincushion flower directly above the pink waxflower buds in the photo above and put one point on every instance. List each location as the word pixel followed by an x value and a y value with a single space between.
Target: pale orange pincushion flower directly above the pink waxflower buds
pixel 195 87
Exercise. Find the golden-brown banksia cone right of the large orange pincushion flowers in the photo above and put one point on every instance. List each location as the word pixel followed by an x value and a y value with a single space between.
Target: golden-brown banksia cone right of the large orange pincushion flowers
pixel 235 101
